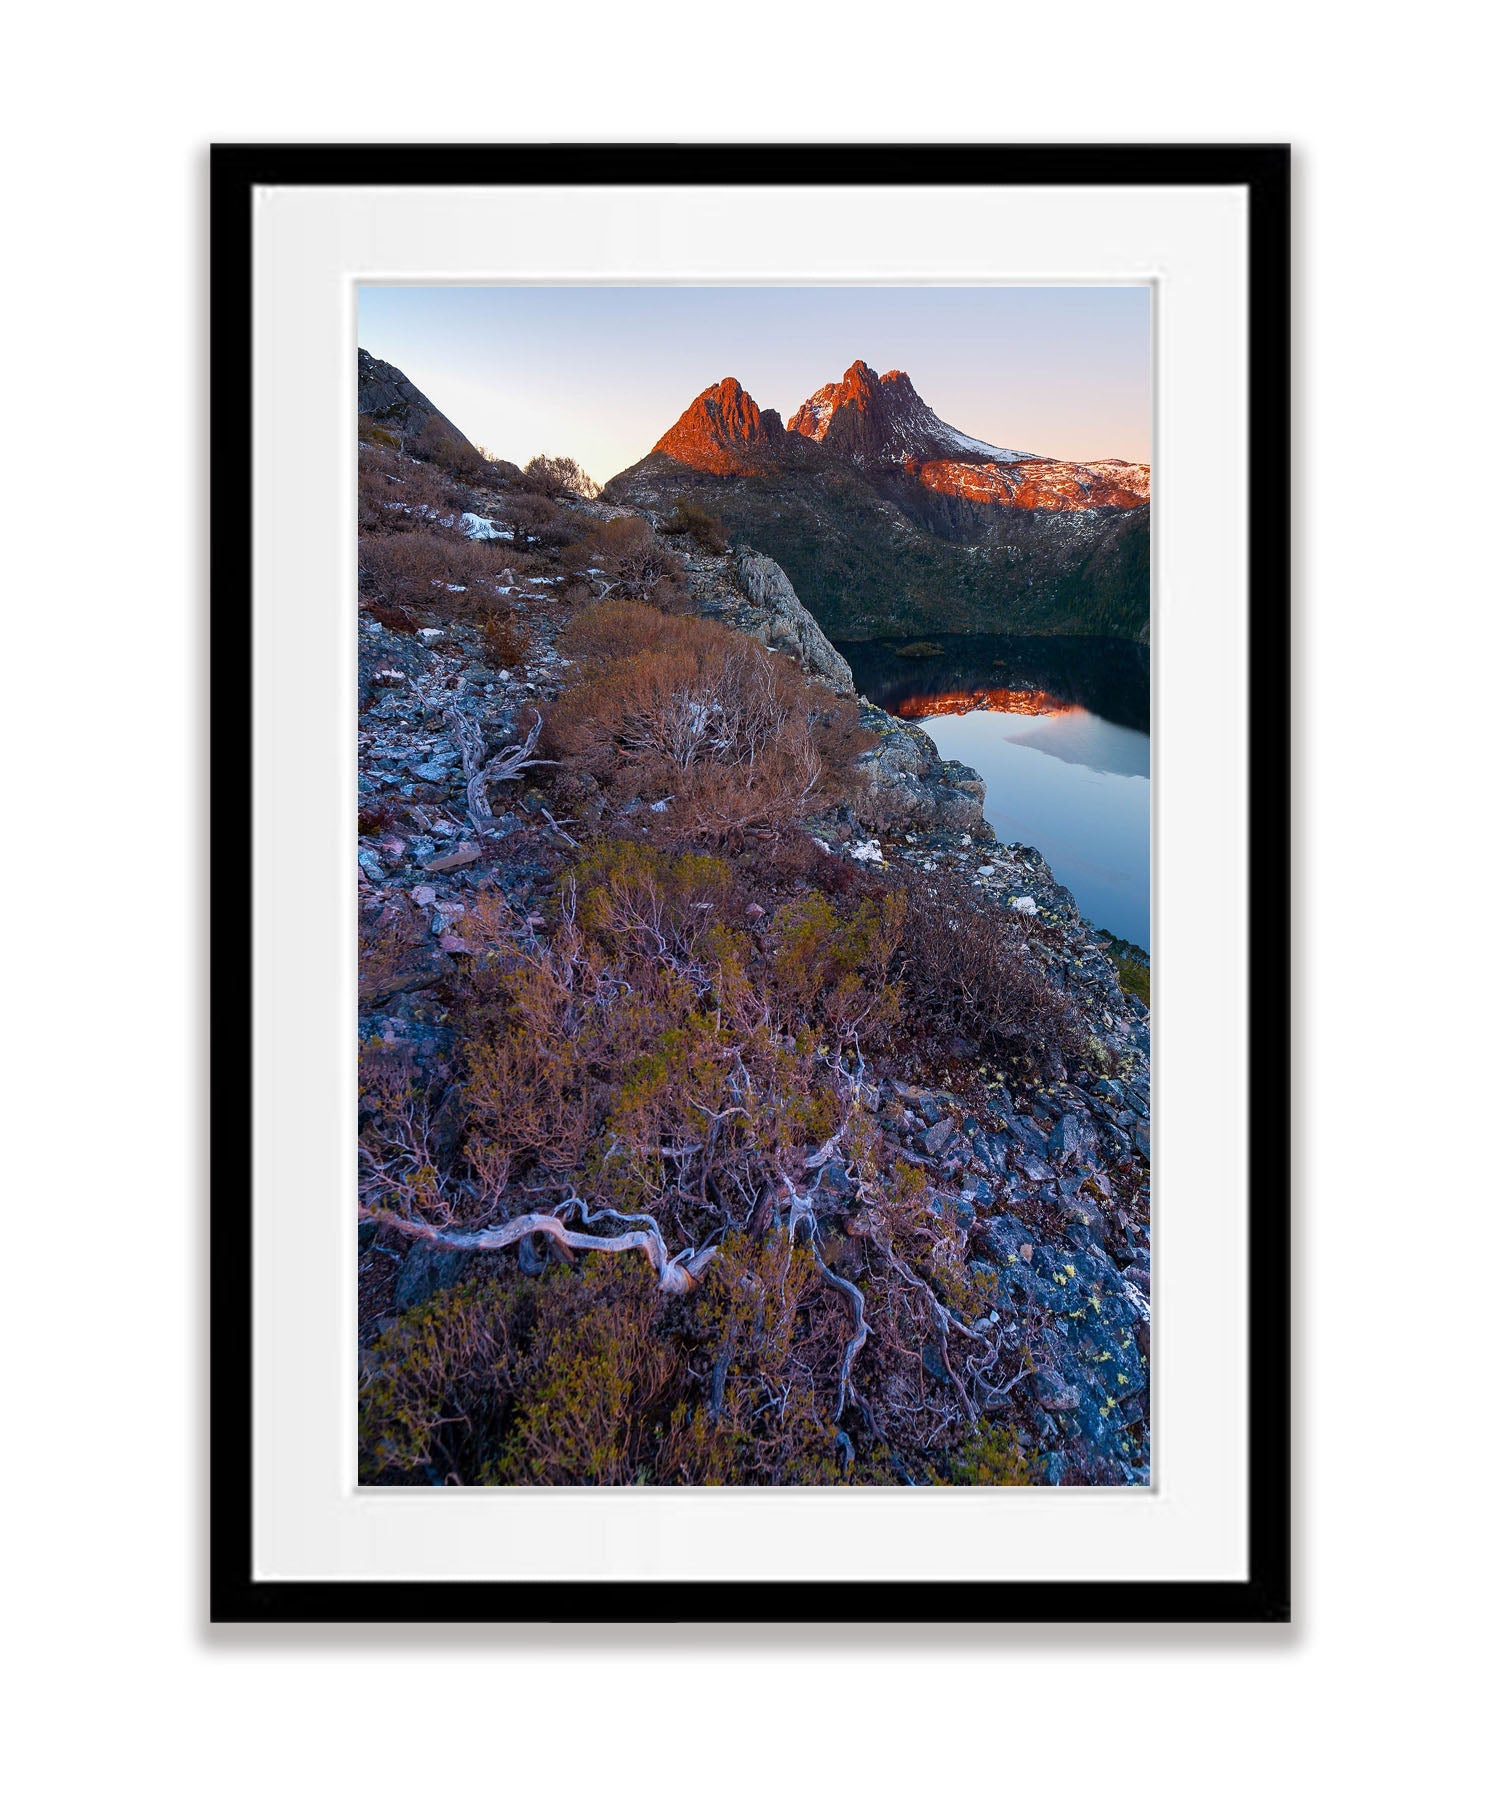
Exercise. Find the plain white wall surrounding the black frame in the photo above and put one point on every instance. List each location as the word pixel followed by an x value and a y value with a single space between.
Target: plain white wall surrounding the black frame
pixel 1380 1686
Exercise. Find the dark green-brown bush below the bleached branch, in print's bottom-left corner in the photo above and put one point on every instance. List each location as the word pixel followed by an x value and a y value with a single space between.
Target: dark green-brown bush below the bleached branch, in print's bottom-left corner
pixel 584 1378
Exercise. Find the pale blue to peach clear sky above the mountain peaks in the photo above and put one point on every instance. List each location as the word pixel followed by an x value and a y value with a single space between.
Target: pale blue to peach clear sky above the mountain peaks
pixel 601 373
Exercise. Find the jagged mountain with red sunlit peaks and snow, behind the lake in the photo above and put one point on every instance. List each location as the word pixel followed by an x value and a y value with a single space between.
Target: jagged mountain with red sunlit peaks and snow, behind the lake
pixel 890 521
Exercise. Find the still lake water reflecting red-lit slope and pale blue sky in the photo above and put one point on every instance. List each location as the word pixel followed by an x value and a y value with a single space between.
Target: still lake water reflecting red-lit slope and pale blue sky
pixel 1060 730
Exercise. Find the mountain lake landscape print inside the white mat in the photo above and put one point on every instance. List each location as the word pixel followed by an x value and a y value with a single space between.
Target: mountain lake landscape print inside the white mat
pixel 754 886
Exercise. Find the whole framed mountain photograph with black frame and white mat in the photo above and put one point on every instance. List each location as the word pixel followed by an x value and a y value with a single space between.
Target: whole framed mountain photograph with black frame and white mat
pixel 752 1048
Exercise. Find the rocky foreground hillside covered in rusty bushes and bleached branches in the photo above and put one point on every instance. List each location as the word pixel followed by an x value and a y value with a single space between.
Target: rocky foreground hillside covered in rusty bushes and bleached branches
pixel 734 1106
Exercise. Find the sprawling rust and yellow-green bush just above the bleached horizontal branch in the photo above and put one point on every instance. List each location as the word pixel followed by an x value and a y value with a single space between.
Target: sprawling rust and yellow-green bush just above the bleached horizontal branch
pixel 655 1047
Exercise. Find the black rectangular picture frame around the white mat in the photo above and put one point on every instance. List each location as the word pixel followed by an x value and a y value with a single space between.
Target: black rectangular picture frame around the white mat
pixel 1265 1596
